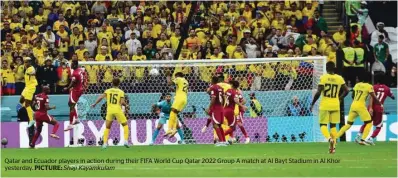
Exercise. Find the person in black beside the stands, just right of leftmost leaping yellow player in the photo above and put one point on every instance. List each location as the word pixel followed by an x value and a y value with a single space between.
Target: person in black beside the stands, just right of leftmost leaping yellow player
pixel 47 75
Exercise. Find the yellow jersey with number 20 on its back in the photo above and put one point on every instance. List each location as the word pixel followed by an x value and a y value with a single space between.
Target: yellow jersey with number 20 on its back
pixel 330 94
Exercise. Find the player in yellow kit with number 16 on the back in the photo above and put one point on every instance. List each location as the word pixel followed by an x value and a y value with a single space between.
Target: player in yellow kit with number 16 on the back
pixel 115 99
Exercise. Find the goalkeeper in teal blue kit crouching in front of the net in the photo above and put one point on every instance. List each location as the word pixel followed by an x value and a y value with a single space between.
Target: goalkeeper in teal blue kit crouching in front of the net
pixel 165 109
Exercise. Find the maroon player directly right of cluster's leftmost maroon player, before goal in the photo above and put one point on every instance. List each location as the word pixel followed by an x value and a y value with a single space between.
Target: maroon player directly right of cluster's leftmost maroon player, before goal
pixel 231 99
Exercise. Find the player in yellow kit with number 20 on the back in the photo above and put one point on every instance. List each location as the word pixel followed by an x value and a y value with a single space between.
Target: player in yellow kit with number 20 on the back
pixel 329 108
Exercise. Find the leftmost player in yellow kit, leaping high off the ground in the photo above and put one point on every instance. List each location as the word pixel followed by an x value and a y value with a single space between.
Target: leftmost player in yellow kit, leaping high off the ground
pixel 29 90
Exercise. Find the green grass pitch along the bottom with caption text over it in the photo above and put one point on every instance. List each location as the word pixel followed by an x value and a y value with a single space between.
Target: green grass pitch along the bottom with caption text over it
pixel 349 160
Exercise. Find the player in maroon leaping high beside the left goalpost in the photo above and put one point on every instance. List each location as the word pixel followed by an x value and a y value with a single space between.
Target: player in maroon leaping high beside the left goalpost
pixel 76 89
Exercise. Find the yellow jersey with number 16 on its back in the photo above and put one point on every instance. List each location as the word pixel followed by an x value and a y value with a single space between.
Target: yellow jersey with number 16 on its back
pixel 113 98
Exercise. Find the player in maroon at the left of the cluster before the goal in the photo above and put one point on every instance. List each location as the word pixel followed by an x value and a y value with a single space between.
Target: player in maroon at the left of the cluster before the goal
pixel 216 110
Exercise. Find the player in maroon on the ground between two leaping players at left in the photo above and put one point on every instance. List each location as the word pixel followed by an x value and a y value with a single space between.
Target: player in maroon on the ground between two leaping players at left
pixel 41 115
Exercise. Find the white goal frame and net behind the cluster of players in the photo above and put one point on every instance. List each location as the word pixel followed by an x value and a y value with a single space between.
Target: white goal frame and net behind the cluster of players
pixel 278 92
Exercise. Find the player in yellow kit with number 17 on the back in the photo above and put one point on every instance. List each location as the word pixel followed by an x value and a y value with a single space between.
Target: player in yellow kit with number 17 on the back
pixel 358 108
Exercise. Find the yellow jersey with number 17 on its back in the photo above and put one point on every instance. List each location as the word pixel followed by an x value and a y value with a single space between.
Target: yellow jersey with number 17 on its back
pixel 361 92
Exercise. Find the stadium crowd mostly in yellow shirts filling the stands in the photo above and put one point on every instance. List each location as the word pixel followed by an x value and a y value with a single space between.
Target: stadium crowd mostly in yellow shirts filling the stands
pixel 53 33
